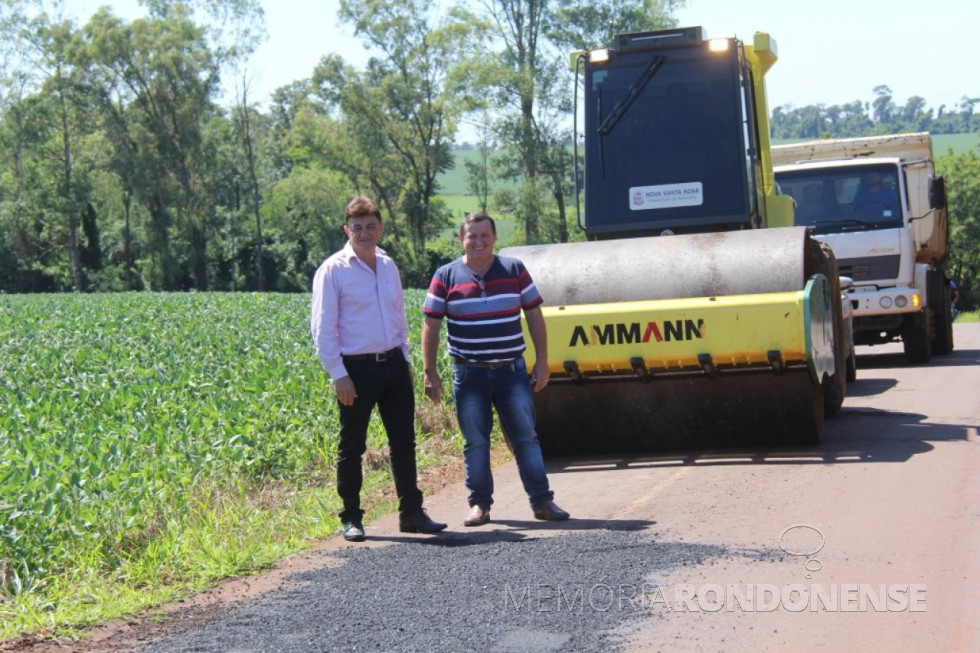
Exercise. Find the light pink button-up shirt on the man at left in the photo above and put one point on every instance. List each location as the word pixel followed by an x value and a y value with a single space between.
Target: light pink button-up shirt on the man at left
pixel 356 310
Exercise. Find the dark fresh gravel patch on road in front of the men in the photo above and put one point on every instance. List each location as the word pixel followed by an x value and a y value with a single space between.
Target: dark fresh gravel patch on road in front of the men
pixel 478 591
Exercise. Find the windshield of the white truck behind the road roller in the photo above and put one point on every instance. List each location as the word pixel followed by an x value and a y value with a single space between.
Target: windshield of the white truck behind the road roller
pixel 838 199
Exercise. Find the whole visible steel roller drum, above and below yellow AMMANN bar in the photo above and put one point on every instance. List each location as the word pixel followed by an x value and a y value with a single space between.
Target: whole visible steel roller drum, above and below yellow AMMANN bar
pixel 675 413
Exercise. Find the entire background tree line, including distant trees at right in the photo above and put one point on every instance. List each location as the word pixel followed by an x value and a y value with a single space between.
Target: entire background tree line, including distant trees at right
pixel 124 165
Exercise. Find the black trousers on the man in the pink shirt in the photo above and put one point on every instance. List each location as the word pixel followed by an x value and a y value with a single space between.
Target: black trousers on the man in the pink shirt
pixel 387 385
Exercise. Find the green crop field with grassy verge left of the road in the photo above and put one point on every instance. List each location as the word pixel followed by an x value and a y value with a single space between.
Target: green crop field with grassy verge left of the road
pixel 151 444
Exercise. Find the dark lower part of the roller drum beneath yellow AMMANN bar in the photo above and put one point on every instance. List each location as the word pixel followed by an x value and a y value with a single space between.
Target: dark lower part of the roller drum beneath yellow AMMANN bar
pixel 687 413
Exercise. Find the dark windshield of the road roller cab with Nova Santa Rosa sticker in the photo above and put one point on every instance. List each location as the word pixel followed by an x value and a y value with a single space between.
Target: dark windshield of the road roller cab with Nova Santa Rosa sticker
pixel 665 140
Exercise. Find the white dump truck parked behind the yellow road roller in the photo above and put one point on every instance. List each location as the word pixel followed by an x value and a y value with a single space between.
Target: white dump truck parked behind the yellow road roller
pixel 879 204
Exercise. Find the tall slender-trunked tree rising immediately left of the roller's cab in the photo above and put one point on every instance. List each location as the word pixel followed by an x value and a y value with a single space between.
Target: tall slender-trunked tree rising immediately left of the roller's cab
pixel 526 72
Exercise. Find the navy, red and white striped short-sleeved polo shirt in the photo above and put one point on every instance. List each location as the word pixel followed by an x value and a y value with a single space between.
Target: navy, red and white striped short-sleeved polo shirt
pixel 483 314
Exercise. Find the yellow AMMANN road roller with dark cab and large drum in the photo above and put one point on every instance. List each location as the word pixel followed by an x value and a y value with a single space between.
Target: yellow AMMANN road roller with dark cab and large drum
pixel 694 314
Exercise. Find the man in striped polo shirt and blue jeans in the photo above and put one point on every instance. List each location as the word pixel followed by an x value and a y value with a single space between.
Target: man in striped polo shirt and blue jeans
pixel 481 295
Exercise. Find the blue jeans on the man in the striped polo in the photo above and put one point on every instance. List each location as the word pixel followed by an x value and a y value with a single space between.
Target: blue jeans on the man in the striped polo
pixel 477 390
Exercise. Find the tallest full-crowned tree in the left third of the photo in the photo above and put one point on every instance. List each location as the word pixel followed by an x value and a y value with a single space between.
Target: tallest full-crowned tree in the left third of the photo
pixel 162 72
